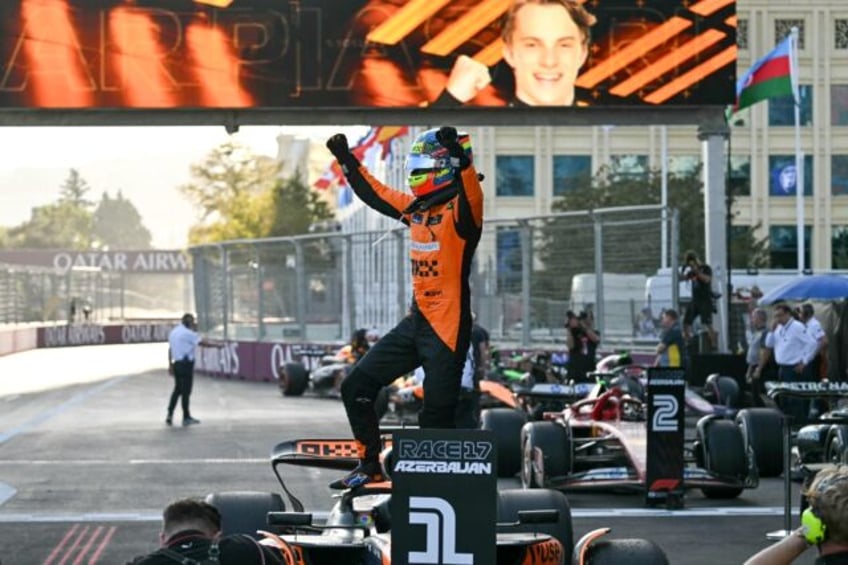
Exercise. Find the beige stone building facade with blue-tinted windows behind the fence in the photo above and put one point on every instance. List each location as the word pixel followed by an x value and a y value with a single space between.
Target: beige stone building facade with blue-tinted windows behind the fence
pixel 528 167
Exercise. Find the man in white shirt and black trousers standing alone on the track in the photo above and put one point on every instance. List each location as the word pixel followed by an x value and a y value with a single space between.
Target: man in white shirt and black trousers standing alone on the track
pixel 182 345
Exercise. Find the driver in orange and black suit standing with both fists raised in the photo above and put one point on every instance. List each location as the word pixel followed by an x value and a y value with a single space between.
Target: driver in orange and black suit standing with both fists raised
pixel 444 214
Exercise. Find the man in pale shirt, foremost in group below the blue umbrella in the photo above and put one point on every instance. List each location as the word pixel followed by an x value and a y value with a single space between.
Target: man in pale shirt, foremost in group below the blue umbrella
pixel 793 349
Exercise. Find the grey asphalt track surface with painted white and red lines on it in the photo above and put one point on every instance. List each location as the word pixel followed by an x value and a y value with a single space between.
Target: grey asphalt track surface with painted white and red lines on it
pixel 87 463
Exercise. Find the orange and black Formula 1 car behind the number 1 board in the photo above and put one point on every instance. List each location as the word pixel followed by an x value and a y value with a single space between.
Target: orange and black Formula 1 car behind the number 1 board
pixel 533 527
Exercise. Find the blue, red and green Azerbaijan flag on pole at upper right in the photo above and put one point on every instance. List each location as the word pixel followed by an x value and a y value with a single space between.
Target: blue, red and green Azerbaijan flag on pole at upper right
pixel 770 77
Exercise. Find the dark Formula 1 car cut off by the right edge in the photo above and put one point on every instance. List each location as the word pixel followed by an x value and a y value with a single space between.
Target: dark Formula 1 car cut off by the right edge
pixel 826 439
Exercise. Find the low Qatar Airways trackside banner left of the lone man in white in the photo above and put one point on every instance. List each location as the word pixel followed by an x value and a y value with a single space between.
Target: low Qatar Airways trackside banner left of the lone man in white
pixel 98 334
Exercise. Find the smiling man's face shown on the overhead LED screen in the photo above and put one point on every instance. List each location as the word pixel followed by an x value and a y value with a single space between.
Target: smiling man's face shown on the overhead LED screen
pixel 545 51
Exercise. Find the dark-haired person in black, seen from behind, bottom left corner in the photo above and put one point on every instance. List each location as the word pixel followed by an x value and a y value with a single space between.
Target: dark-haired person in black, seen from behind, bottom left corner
pixel 191 534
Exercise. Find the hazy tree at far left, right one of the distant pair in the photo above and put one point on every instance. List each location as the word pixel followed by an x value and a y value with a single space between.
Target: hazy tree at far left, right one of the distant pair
pixel 118 225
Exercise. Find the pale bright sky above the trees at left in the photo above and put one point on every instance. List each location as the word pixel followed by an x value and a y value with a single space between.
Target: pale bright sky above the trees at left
pixel 146 164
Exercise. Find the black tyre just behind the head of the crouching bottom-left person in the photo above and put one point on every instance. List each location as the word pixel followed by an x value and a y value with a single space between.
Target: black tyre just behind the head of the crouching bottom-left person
pixel 245 512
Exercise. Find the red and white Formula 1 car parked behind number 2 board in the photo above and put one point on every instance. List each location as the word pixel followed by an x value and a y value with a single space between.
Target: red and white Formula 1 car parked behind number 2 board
pixel 601 443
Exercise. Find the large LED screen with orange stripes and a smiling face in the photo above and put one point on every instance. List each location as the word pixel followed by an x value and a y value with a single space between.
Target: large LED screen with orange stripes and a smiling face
pixel 365 53
